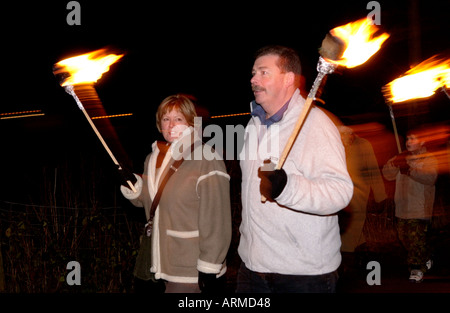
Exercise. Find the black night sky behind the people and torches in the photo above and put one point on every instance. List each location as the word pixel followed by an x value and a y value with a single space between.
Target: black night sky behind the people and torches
pixel 201 48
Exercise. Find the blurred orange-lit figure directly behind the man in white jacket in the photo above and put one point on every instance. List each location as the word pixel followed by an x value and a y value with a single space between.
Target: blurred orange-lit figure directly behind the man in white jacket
pixel 364 170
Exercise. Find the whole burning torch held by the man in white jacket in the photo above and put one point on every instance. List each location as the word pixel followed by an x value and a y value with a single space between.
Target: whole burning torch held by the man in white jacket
pixel 349 45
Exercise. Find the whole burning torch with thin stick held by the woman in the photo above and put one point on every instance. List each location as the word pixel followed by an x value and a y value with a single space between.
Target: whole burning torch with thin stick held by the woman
pixel 79 73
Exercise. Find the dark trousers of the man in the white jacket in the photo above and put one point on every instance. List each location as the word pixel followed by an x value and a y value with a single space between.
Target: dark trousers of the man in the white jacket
pixel 253 282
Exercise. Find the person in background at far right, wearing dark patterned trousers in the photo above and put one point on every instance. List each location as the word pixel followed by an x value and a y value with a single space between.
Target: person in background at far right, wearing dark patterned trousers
pixel 415 173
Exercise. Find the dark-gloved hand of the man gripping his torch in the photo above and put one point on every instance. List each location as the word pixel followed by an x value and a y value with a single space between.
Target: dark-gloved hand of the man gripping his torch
pixel 272 181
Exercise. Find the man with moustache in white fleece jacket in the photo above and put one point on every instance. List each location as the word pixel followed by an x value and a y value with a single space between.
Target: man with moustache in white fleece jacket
pixel 291 242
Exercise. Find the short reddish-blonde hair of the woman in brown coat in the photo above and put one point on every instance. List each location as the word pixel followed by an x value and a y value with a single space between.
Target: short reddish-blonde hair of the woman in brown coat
pixel 182 103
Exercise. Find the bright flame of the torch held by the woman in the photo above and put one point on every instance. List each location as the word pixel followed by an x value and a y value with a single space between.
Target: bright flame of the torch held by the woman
pixel 86 68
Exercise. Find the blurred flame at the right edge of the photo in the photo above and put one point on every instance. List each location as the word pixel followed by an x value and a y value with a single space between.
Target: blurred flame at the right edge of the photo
pixel 421 81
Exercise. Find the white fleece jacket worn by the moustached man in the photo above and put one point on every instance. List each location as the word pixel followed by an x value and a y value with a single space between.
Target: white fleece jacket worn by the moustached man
pixel 299 233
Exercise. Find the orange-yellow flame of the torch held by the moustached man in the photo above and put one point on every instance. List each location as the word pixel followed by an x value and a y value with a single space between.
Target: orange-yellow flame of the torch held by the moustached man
pixel 360 42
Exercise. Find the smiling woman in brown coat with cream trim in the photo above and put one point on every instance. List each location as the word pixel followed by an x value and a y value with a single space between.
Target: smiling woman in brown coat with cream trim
pixel 192 224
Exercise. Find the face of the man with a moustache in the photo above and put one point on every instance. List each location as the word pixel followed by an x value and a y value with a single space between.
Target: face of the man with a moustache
pixel 267 81
